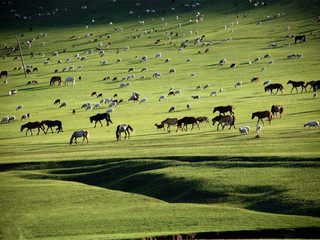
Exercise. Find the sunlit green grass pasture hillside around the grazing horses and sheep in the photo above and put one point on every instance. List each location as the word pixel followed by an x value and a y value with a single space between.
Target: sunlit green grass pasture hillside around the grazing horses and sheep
pixel 159 183
